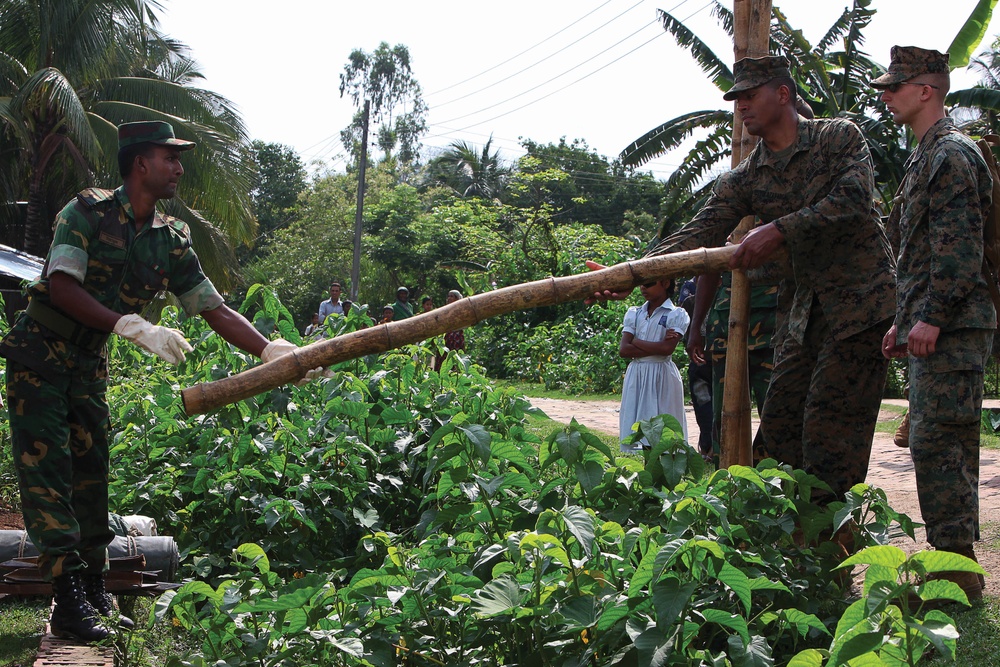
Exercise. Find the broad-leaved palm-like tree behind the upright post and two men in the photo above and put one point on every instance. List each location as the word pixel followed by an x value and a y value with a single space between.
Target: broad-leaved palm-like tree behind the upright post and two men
pixel 832 76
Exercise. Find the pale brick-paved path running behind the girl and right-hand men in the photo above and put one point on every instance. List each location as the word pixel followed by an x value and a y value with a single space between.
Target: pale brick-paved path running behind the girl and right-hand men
pixel 890 469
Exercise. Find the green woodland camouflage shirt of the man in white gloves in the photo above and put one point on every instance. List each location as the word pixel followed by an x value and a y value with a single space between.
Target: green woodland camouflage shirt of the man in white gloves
pixel 96 242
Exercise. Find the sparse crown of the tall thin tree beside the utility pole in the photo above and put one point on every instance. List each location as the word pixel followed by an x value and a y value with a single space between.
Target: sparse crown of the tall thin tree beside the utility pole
pixel 398 111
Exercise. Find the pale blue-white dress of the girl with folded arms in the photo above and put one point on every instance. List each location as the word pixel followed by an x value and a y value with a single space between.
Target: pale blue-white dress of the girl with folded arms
pixel 652 384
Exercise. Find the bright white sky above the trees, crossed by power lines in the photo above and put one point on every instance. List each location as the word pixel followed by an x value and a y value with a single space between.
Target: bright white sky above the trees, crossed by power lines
pixel 604 71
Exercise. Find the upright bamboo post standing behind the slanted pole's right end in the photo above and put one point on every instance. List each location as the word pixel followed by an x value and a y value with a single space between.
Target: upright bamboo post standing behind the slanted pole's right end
pixel 752 25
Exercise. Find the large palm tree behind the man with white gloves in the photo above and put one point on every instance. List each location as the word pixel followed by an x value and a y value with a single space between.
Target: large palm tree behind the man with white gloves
pixel 70 72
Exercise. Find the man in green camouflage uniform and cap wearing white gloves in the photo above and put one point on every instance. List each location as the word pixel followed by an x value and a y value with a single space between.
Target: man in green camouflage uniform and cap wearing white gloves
pixel 112 252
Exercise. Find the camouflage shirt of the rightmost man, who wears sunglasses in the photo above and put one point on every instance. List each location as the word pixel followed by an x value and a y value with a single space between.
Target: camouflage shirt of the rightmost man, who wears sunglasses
pixel 937 226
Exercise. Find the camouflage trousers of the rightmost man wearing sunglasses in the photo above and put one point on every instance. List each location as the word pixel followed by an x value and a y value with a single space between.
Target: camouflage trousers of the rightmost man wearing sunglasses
pixel 946 396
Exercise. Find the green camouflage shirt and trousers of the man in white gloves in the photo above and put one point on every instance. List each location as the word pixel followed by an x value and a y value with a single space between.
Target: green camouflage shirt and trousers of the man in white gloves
pixel 57 402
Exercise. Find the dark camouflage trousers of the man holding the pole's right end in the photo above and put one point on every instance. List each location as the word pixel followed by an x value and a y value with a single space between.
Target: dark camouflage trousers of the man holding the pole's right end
pixel 823 403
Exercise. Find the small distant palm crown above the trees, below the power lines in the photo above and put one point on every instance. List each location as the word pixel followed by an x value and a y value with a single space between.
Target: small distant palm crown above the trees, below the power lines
pixel 469 171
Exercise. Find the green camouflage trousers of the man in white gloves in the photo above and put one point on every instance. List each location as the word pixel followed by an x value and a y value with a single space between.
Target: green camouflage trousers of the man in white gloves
pixel 59 433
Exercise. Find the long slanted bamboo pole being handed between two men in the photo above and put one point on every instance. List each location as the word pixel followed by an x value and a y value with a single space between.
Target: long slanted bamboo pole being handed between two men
pixel 458 315
